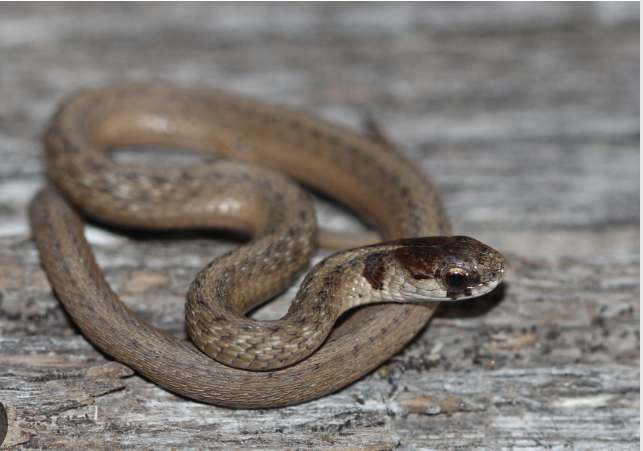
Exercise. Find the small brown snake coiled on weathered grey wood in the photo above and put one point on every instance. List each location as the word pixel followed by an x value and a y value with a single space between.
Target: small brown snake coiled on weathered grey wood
pixel 262 158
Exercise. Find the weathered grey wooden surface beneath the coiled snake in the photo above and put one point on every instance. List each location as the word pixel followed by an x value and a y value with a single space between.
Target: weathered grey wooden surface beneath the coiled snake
pixel 527 117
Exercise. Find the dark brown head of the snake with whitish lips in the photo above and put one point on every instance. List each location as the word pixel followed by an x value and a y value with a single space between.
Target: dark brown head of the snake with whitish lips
pixel 437 269
